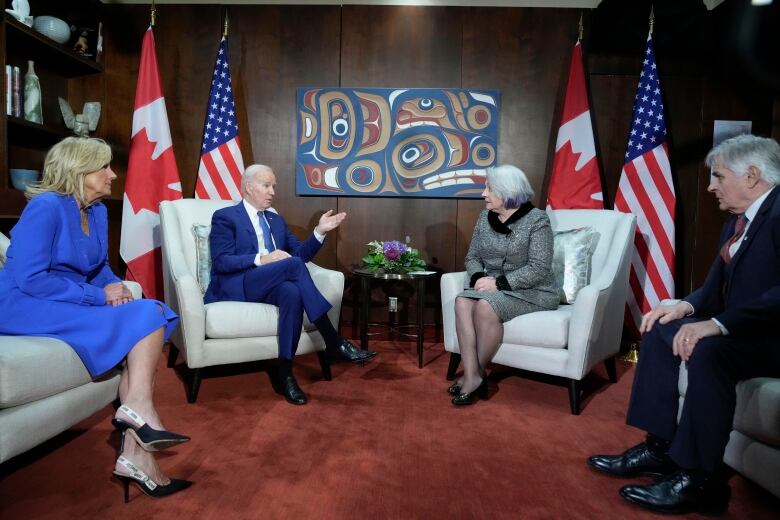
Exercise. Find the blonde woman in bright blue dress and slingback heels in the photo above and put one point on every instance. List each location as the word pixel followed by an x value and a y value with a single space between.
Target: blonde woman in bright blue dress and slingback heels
pixel 57 283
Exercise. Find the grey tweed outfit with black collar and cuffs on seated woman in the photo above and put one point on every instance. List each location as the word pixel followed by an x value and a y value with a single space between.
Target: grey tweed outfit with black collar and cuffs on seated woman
pixel 518 253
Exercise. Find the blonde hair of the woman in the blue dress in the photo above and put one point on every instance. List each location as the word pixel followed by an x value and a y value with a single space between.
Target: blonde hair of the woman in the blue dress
pixel 66 165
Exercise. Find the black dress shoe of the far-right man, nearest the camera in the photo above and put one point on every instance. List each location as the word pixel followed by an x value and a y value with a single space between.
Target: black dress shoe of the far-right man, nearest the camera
pixel 680 493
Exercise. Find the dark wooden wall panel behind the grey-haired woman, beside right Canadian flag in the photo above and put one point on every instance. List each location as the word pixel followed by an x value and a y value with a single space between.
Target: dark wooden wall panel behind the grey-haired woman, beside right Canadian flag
pixel 524 53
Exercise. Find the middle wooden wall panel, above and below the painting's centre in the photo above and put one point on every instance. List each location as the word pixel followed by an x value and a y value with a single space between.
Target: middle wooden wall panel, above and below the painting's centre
pixel 385 46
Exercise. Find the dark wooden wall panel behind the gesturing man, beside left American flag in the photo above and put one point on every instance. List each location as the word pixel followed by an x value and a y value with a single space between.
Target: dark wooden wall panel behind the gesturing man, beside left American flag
pixel 278 49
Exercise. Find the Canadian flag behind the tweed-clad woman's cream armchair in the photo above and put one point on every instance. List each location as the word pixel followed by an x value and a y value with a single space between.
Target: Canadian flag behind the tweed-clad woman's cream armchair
pixel 575 181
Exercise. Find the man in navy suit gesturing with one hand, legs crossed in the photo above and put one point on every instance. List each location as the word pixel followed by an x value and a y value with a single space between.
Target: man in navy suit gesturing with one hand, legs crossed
pixel 255 258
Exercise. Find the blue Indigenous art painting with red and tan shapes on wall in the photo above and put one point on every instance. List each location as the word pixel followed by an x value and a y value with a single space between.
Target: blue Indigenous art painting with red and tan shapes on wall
pixel 395 142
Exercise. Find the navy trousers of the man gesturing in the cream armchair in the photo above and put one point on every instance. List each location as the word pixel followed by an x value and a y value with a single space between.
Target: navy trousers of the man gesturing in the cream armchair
pixel 288 285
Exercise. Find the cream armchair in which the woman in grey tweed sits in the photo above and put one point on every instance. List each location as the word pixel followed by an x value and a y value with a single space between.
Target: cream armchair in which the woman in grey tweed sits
pixel 570 340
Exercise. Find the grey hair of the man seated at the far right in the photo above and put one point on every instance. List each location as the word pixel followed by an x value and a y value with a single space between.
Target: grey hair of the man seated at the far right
pixel 741 152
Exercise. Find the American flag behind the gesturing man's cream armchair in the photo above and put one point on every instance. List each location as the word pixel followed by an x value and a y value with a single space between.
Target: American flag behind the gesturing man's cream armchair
pixel 221 164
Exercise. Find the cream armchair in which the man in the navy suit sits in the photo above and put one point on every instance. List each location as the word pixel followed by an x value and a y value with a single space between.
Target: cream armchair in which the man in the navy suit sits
pixel 225 332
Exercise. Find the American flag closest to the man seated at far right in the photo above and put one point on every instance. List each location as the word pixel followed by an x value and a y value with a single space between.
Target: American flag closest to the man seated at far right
pixel 647 191
